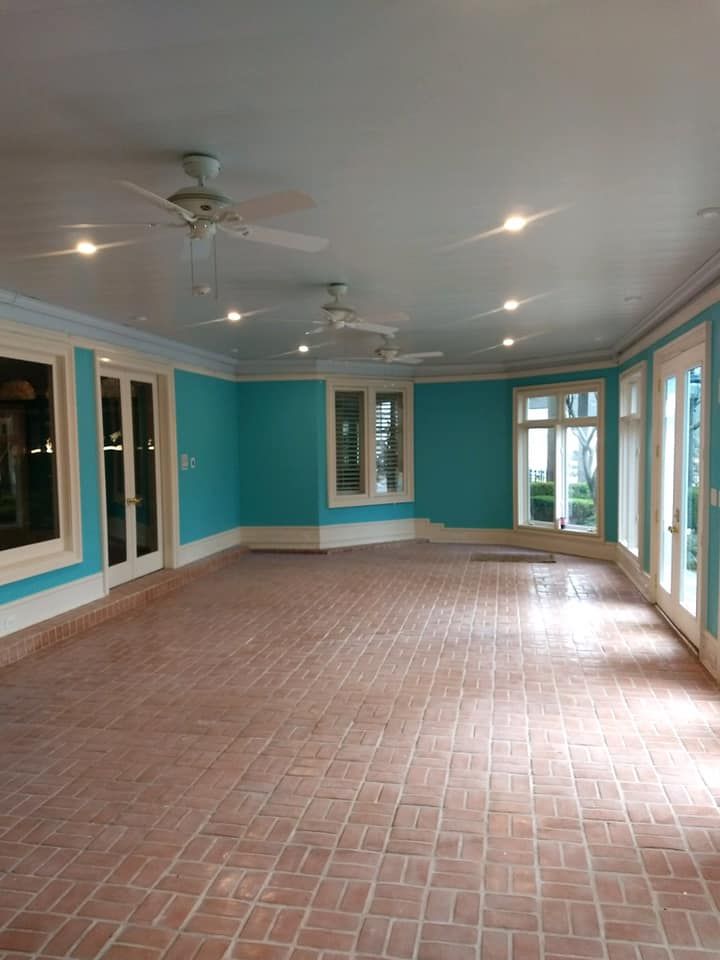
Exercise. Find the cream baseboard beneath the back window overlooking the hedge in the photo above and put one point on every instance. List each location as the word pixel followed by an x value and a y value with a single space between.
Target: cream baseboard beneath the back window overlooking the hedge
pixel 573 545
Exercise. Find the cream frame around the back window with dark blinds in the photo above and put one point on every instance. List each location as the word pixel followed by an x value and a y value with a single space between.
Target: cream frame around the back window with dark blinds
pixel 369 389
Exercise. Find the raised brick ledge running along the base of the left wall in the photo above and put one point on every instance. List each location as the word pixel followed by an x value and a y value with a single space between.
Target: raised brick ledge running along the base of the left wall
pixel 130 596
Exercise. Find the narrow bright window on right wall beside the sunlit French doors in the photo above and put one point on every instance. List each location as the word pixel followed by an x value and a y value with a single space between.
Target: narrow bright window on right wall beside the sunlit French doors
pixel 632 385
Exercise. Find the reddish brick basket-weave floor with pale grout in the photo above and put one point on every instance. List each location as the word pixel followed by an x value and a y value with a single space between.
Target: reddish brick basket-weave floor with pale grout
pixel 391 753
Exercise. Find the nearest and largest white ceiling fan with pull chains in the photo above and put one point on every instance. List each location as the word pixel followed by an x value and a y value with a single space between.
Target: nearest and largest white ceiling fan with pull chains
pixel 203 209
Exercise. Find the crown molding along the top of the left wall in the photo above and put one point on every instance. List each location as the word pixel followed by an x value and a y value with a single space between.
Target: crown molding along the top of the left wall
pixel 93 331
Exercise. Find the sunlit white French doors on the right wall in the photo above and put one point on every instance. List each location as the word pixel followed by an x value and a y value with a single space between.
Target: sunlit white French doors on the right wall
pixel 679 514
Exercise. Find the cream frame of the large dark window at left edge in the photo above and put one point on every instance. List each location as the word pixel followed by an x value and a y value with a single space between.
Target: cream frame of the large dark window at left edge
pixel 20 563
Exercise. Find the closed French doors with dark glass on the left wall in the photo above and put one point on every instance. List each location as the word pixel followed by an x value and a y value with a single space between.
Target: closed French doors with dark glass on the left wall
pixel 132 481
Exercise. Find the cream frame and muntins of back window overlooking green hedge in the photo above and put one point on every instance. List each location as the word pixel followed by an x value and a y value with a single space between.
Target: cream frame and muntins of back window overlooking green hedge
pixel 560 422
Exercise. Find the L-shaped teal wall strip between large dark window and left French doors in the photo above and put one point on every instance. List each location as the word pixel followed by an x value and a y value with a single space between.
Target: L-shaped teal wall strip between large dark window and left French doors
pixel 89 491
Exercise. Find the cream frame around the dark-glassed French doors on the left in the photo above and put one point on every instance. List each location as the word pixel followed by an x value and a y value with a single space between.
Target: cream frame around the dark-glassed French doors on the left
pixel 111 362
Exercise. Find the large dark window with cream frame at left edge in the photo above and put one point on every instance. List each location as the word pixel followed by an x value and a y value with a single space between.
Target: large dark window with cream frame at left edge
pixel 39 515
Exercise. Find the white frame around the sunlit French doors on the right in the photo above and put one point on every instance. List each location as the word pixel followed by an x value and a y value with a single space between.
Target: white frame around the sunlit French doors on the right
pixel 699 335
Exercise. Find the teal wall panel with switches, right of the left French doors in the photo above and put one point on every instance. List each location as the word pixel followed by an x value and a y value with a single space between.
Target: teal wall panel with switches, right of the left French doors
pixel 207 429
